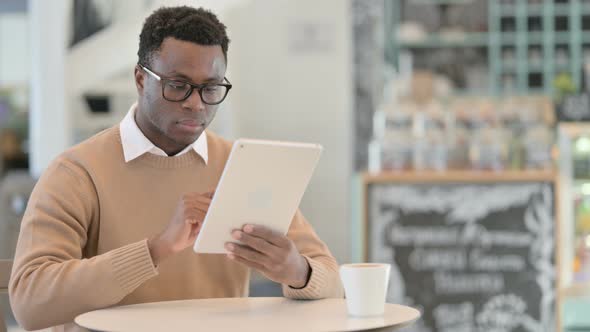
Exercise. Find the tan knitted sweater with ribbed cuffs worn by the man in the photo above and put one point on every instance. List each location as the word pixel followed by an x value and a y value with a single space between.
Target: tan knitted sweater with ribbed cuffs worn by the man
pixel 83 247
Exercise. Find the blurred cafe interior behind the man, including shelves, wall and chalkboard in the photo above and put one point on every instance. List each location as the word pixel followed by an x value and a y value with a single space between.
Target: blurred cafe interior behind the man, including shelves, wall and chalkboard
pixel 456 134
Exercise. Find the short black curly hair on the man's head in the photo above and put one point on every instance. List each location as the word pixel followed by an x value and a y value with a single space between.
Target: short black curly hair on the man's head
pixel 196 25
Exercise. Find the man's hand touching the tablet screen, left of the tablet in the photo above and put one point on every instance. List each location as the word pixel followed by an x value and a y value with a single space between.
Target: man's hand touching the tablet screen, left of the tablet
pixel 184 227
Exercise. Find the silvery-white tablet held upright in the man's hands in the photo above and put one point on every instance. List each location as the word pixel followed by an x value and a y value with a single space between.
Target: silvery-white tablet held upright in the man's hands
pixel 262 183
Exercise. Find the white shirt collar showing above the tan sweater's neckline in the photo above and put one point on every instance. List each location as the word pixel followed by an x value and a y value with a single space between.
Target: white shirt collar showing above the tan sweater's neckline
pixel 136 144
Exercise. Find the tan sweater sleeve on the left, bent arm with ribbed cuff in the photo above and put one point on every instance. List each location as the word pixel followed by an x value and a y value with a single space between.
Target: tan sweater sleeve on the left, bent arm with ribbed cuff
pixel 51 281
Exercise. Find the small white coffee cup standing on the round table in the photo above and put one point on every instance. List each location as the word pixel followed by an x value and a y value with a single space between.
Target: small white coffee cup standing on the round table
pixel 365 286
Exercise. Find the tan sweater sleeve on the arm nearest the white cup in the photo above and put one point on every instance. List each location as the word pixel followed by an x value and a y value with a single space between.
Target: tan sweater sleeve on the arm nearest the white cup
pixel 324 281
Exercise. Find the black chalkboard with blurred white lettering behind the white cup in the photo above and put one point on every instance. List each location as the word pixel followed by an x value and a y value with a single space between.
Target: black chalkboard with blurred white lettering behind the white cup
pixel 471 256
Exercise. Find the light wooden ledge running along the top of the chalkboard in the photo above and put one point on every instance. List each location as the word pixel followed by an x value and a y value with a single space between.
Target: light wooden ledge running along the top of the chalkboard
pixel 459 176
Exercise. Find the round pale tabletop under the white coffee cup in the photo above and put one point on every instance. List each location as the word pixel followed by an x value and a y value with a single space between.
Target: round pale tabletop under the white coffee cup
pixel 243 314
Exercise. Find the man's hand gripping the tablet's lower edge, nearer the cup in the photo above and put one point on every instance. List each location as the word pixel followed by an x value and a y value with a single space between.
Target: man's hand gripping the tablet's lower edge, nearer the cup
pixel 271 253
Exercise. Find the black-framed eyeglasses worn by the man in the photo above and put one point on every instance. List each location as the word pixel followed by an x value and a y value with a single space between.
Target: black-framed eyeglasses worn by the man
pixel 175 90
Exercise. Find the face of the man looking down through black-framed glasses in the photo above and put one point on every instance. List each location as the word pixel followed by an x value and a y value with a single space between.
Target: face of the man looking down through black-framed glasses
pixel 174 125
